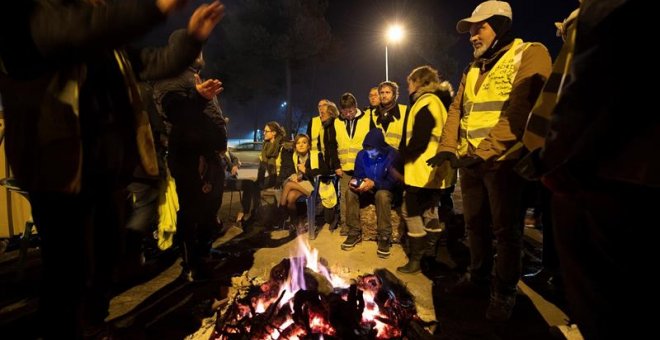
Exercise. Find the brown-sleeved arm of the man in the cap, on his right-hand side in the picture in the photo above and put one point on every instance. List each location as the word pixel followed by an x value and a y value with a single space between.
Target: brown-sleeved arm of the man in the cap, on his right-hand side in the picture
pixel 535 67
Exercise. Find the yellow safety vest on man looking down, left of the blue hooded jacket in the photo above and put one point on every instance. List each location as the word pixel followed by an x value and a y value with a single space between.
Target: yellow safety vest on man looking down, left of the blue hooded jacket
pixel 348 147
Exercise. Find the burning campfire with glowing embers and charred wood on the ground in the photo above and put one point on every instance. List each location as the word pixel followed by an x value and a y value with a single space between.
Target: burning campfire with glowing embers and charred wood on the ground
pixel 301 299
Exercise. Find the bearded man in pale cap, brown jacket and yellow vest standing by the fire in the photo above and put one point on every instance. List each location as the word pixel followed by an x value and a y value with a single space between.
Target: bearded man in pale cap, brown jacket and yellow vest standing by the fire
pixel 482 137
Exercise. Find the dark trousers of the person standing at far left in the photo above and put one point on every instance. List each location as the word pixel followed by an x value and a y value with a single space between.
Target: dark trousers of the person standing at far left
pixel 79 247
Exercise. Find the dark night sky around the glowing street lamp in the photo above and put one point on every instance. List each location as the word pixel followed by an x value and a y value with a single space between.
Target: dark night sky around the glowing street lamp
pixel 357 60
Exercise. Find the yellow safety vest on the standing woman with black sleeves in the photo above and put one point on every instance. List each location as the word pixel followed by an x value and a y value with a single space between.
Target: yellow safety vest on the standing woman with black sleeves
pixel 418 173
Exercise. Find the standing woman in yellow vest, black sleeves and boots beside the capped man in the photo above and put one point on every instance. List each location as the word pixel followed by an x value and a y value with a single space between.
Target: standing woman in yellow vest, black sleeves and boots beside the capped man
pixel 423 182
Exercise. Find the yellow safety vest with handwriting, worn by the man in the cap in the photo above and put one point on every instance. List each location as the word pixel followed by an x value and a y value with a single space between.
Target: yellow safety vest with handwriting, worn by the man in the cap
pixel 481 111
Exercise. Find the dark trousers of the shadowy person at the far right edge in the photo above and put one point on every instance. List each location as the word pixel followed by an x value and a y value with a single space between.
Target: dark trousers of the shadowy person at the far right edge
pixel 606 252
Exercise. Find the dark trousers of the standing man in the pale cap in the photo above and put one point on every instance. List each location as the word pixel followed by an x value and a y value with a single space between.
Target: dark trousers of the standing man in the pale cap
pixel 492 206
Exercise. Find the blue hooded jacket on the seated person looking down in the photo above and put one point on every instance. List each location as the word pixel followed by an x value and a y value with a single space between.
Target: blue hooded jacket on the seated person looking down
pixel 380 168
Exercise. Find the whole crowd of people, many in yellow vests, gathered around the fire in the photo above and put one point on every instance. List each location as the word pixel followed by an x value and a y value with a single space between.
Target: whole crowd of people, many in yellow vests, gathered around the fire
pixel 81 134
